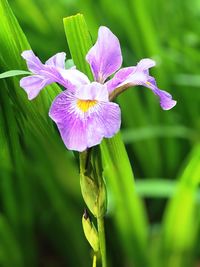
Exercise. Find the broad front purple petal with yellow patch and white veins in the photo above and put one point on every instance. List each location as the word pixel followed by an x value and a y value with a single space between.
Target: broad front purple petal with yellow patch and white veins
pixel 83 123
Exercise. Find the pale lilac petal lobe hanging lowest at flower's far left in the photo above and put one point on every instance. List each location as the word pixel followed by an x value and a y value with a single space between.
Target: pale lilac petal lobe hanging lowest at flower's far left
pixel 33 85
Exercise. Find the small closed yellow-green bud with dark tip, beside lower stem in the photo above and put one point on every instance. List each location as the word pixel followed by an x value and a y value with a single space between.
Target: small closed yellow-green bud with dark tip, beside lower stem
pixel 90 232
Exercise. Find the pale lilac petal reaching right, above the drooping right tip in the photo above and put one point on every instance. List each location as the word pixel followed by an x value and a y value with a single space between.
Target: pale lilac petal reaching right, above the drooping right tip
pixel 136 75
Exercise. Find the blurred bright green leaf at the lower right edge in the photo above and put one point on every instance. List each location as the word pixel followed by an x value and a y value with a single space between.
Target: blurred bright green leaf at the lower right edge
pixel 181 219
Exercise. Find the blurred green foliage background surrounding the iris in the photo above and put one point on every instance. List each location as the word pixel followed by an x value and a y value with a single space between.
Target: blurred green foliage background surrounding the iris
pixel 40 200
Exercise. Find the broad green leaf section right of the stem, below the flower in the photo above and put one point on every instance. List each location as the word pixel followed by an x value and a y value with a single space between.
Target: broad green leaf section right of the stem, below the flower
pixel 130 217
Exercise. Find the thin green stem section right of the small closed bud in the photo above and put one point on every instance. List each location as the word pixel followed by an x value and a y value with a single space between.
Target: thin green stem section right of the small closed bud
pixel 102 241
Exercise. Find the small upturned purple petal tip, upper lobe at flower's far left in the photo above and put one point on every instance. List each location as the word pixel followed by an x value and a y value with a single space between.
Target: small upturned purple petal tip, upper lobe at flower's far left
pixel 33 62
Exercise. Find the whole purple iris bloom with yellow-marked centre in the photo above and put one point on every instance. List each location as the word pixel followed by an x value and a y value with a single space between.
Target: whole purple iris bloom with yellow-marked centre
pixel 84 112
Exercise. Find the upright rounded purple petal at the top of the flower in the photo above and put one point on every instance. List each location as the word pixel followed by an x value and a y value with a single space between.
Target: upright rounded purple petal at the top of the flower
pixel 105 56
